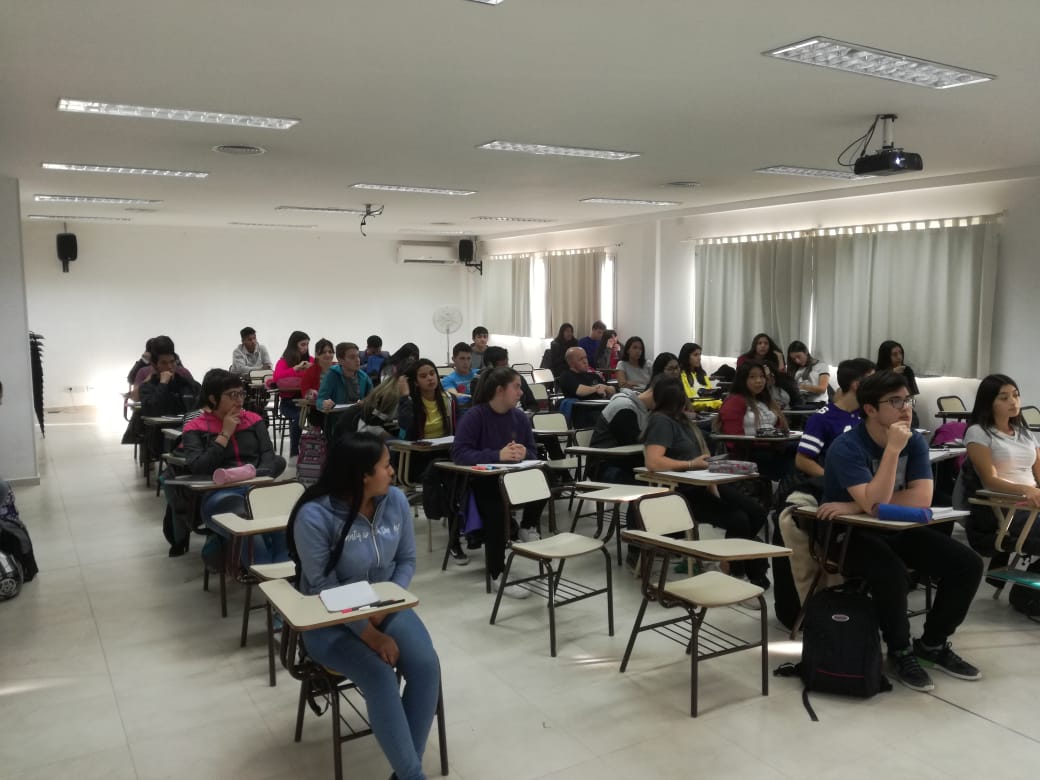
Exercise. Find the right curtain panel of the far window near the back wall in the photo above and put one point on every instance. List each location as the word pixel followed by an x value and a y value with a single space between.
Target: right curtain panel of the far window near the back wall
pixel 574 280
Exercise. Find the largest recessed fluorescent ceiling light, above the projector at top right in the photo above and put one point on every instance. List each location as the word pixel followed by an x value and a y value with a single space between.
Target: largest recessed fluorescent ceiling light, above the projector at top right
pixel 883 65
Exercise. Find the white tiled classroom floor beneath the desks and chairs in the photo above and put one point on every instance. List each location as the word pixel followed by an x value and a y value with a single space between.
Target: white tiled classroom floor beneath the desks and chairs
pixel 116 665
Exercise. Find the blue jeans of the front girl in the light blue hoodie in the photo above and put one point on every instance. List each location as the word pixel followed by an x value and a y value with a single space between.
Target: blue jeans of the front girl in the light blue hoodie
pixel 401 722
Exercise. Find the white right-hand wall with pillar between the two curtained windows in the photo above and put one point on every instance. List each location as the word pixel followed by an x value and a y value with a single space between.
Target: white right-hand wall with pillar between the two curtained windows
pixel 669 311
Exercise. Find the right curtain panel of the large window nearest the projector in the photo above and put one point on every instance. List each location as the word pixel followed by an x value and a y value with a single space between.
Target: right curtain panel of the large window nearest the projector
pixel 931 290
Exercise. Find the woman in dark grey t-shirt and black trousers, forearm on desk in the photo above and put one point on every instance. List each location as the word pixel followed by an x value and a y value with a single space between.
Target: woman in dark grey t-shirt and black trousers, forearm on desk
pixel 673 444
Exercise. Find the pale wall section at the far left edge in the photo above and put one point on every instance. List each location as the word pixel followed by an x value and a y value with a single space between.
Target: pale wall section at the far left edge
pixel 18 445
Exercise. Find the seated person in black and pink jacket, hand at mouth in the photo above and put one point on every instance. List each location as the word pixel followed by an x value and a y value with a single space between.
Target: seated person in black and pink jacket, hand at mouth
pixel 225 436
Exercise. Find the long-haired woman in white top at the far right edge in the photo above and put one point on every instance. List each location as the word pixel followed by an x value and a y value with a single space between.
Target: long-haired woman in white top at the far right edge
pixel 1005 456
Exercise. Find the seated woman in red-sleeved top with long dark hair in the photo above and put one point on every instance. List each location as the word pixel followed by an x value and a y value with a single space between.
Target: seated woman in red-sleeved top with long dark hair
pixel 748 409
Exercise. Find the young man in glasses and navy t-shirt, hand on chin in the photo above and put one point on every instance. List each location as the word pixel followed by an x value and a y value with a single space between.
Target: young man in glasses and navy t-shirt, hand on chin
pixel 885 461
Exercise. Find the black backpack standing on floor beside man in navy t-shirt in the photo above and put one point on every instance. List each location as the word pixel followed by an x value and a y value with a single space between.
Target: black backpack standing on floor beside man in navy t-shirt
pixel 841 647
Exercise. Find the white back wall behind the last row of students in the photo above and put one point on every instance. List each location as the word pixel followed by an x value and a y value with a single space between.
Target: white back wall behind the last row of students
pixel 200 287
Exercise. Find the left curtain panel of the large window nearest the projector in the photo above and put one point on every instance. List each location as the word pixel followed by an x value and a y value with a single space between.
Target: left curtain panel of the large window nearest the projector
pixel 746 288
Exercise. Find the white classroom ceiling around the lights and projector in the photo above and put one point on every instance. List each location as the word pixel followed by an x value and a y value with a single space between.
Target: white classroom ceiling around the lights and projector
pixel 403 92
